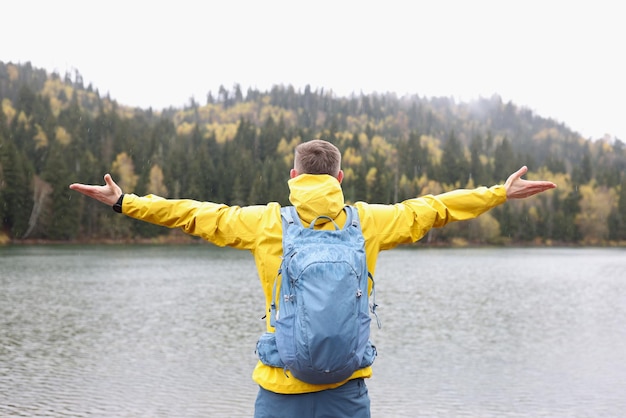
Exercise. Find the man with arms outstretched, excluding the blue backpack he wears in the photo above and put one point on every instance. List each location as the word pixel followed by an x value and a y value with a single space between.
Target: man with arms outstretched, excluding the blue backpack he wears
pixel 315 190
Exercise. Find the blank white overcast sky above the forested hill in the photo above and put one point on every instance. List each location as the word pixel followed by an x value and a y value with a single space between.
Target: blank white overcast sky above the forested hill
pixel 562 59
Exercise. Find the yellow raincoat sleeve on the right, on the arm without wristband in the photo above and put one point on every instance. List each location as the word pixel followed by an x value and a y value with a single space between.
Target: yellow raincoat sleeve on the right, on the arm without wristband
pixel 409 221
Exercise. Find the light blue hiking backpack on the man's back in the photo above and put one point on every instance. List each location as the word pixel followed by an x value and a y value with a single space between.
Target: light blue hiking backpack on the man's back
pixel 321 316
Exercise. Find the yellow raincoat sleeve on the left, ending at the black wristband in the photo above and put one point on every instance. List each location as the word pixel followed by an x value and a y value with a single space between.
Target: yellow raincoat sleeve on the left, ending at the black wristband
pixel 220 224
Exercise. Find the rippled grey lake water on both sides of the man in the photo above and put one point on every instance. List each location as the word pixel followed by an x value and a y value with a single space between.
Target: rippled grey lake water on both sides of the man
pixel 169 331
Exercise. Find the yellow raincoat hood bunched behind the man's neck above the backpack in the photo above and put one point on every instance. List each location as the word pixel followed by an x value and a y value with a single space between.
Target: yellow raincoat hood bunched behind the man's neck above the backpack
pixel 315 195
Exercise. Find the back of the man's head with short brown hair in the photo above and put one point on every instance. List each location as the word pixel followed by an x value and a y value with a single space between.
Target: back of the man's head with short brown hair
pixel 317 157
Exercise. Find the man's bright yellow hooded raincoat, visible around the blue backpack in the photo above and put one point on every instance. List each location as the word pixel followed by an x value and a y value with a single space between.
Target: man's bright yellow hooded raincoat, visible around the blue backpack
pixel 259 229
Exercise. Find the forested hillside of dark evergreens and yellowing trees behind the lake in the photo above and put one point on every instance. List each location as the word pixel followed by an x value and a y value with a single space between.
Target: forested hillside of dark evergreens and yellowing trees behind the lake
pixel 237 147
